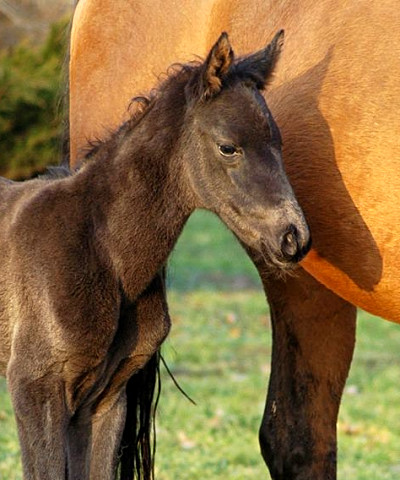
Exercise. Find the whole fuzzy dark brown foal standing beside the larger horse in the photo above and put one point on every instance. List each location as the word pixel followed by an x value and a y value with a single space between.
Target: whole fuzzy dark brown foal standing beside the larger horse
pixel 82 303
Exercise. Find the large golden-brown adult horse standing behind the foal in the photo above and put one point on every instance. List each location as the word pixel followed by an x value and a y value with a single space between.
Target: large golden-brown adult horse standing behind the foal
pixel 336 99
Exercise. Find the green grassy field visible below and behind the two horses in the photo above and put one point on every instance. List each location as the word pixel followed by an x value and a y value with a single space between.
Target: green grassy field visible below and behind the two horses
pixel 219 350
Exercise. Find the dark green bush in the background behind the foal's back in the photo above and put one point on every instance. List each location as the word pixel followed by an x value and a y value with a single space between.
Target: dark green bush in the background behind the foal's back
pixel 31 92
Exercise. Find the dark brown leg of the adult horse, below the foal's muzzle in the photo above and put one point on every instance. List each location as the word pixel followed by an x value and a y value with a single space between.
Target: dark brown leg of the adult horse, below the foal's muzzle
pixel 313 342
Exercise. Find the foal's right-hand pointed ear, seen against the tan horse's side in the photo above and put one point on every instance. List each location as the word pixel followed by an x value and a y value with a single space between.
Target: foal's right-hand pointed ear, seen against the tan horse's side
pixel 259 67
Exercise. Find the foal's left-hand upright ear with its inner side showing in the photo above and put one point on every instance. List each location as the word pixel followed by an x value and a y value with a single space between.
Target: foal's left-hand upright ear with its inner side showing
pixel 216 66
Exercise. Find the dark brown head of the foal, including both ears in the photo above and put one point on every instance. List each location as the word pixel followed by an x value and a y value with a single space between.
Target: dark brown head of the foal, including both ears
pixel 232 153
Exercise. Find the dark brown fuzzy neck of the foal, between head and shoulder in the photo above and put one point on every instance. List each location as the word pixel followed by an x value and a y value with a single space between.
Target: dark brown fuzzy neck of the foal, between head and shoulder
pixel 140 205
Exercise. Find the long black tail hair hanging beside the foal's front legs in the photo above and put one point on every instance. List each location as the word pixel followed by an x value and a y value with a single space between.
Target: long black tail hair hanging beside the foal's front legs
pixel 138 443
